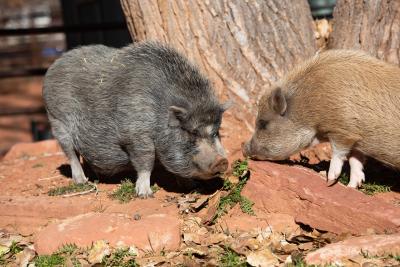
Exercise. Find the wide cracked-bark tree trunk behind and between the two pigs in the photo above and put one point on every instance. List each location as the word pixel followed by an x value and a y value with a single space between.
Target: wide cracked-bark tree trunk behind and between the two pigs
pixel 242 46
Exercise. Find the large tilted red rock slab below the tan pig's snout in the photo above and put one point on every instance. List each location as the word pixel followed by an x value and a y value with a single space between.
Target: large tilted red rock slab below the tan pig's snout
pixel 303 193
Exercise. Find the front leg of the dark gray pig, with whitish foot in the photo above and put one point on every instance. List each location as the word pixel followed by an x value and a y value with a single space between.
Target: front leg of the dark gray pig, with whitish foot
pixel 142 157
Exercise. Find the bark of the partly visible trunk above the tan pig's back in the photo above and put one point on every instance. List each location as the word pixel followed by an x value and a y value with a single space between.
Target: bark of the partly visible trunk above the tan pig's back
pixel 370 25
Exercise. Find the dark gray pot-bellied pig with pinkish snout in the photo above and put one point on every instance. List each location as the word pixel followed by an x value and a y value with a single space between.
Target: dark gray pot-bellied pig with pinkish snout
pixel 126 107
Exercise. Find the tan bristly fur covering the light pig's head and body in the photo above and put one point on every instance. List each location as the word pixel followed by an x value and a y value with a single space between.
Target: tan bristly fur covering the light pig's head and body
pixel 347 96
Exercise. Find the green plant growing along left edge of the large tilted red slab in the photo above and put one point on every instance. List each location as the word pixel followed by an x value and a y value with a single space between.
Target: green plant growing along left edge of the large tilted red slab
pixel 234 196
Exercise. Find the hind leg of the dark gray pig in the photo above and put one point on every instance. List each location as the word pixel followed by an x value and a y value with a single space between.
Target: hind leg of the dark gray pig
pixel 66 143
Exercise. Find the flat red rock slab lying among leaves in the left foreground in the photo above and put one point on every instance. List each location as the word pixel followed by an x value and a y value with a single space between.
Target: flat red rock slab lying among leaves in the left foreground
pixel 154 233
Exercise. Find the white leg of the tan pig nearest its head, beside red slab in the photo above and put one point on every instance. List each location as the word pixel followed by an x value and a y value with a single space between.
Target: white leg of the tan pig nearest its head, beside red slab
pixel 339 153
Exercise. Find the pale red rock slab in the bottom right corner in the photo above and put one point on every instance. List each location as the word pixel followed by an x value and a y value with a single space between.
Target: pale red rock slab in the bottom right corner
pixel 374 245
